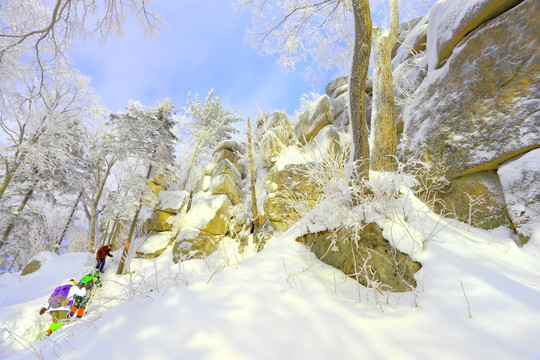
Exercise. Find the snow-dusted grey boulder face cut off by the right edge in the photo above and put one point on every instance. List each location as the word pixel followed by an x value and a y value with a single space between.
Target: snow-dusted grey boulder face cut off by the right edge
pixel 520 179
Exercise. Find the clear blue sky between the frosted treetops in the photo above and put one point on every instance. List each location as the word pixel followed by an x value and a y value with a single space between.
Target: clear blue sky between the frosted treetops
pixel 202 48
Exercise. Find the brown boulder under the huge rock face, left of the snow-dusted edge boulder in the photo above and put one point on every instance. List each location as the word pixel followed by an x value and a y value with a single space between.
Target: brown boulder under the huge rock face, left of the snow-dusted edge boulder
pixel 476 199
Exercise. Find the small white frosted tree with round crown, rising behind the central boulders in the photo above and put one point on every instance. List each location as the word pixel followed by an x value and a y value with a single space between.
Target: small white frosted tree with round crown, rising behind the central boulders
pixel 210 123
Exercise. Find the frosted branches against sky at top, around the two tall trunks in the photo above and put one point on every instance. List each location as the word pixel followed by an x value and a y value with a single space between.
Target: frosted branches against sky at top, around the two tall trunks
pixel 321 32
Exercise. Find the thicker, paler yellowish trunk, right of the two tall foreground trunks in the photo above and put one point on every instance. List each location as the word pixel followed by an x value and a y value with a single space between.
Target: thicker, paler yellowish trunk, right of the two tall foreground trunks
pixel 383 154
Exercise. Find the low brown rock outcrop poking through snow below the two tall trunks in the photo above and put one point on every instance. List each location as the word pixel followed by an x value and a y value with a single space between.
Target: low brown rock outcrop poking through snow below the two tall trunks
pixel 336 249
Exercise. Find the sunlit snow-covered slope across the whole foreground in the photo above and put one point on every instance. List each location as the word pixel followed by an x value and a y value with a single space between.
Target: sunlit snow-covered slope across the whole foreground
pixel 282 303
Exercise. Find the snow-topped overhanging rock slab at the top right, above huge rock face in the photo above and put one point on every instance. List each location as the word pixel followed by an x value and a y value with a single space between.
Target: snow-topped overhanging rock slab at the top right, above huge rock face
pixel 451 20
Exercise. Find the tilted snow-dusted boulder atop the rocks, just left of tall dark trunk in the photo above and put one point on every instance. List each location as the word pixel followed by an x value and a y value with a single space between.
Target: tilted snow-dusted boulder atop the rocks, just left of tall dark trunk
pixel 314 118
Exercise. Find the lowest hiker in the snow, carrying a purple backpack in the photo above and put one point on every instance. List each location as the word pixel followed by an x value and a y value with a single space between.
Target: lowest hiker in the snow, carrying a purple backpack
pixel 60 302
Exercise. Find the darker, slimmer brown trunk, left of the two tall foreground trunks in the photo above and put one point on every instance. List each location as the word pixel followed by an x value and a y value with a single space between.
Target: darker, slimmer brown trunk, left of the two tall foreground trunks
pixel 357 85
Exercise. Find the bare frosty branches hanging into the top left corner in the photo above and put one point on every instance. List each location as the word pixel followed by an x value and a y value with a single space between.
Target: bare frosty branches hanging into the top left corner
pixel 36 33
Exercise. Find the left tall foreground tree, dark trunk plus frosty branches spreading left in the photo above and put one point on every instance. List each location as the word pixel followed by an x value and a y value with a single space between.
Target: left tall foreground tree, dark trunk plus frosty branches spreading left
pixel 297 28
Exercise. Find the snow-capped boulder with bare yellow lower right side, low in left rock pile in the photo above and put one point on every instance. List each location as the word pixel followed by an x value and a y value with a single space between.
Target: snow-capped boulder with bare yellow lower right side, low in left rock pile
pixel 209 213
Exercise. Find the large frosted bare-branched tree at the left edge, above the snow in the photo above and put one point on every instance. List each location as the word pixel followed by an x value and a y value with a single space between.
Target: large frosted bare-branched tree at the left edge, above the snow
pixel 41 132
